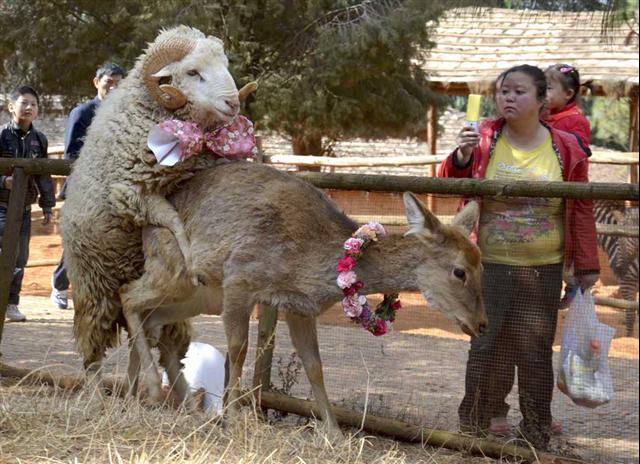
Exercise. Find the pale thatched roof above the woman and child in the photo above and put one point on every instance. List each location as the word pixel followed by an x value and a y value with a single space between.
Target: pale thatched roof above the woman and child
pixel 472 46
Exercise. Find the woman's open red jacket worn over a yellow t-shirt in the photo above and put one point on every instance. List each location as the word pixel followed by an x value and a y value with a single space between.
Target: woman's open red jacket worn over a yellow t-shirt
pixel 580 246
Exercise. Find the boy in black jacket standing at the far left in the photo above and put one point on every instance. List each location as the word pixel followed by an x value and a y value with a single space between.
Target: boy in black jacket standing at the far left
pixel 19 139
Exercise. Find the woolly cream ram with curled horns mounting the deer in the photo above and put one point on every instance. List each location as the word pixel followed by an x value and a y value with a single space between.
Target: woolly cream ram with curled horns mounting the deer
pixel 117 185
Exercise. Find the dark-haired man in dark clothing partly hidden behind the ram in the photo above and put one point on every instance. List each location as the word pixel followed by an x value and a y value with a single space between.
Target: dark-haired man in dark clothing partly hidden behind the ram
pixel 107 78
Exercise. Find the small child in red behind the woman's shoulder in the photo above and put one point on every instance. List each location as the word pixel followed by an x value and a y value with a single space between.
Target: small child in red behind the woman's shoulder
pixel 563 88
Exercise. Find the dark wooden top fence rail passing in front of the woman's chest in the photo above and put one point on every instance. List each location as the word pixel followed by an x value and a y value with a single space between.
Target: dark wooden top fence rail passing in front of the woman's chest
pixel 472 187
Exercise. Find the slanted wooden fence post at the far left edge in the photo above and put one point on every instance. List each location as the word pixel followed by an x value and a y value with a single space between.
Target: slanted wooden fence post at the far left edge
pixel 10 237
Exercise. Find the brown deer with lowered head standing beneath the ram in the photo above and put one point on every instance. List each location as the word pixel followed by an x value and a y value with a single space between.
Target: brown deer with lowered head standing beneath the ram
pixel 262 236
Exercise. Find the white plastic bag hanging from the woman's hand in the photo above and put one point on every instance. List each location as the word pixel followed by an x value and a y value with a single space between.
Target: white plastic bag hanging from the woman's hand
pixel 583 373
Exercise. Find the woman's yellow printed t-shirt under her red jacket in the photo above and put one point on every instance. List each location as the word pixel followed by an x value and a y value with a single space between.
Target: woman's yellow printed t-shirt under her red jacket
pixel 522 231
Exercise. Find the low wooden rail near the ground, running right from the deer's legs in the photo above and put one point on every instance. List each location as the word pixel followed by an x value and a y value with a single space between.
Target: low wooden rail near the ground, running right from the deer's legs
pixel 411 433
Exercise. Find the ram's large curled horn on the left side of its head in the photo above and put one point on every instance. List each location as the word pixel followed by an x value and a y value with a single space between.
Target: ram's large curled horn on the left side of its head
pixel 158 56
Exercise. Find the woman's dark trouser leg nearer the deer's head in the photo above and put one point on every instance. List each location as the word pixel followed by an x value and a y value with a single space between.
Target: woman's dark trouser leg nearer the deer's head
pixel 490 372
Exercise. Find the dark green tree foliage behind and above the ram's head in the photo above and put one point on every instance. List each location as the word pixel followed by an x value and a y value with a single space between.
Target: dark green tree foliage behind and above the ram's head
pixel 331 68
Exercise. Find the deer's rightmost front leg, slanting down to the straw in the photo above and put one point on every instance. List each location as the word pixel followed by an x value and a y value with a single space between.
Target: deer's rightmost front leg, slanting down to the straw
pixel 304 336
